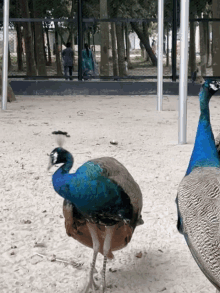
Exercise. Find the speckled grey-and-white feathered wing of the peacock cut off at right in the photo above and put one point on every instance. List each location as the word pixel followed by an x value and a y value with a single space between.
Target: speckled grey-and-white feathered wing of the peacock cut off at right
pixel 199 219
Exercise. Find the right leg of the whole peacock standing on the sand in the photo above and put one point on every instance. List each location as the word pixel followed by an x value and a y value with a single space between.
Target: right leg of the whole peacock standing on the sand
pixel 106 248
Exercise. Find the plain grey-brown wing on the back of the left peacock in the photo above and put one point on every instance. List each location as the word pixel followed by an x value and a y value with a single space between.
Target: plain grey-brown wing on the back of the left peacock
pixel 116 172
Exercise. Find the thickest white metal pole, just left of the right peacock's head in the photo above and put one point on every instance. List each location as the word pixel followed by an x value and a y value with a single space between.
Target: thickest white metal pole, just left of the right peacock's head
pixel 183 82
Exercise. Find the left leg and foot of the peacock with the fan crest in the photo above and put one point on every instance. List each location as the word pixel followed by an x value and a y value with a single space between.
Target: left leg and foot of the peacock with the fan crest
pixel 93 231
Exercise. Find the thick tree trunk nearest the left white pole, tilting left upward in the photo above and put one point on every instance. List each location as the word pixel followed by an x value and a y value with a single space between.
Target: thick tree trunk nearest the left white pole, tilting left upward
pixel 29 48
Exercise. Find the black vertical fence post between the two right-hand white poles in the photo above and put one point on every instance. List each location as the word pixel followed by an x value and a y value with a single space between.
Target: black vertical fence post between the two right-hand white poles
pixel 174 38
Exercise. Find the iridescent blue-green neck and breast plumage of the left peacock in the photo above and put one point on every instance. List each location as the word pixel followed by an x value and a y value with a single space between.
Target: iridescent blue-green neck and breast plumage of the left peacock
pixel 94 195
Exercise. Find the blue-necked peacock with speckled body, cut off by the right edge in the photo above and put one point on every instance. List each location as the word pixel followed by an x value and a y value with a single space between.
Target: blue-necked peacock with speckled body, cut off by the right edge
pixel 198 197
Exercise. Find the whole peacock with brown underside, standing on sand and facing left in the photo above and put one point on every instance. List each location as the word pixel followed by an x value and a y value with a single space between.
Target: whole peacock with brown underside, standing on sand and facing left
pixel 102 204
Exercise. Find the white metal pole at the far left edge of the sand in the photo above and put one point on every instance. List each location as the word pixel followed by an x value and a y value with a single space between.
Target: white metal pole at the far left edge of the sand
pixel 5 55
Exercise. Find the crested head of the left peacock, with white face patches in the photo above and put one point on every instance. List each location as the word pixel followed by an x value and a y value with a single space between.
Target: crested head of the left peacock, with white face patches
pixel 60 155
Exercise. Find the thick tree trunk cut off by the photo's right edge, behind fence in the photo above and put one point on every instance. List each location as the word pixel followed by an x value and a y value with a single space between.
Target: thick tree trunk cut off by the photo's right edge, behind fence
pixel 216 38
